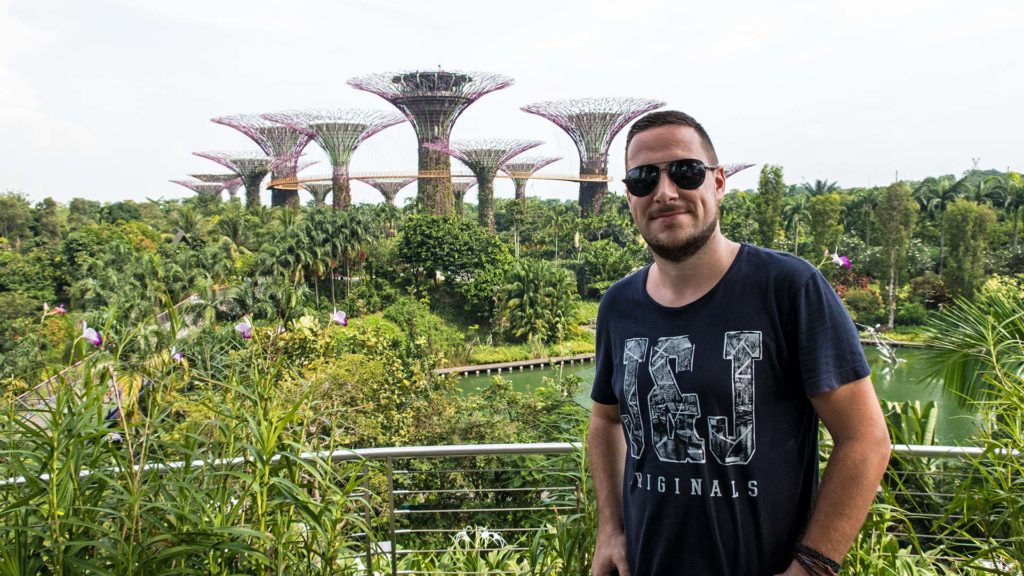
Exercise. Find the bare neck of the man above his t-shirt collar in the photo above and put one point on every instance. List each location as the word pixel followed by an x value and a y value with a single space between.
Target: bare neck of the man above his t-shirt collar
pixel 677 284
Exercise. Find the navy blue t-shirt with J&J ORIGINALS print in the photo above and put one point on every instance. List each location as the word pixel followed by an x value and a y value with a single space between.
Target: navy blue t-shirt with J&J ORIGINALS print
pixel 721 465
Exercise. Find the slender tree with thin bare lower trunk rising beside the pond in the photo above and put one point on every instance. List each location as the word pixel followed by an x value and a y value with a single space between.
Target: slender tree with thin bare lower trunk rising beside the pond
pixel 898 216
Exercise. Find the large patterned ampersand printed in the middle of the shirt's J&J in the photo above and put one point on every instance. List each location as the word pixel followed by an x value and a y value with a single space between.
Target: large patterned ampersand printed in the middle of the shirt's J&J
pixel 674 415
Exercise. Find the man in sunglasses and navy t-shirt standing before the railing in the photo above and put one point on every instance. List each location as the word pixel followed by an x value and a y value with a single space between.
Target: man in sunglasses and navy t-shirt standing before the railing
pixel 714 364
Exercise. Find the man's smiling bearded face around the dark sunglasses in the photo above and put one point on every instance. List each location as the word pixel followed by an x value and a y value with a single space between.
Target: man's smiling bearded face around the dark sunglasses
pixel 675 223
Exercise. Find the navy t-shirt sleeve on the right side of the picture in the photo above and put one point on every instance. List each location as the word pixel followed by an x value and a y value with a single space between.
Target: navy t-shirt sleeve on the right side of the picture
pixel 829 347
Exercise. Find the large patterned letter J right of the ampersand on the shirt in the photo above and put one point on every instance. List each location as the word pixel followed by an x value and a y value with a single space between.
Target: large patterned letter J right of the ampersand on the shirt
pixel 743 349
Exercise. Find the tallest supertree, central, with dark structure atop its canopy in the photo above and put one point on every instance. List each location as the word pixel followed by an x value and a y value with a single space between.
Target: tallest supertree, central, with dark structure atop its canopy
pixel 433 101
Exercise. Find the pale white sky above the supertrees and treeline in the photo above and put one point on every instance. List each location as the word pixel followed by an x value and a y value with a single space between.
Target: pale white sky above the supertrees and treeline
pixel 107 100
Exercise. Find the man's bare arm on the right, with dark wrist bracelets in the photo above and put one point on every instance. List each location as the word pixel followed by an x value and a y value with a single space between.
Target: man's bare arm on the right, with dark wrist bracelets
pixel 860 458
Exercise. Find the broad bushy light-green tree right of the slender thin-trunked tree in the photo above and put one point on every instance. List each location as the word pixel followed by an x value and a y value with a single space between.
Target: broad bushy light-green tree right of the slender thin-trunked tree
pixel 967 225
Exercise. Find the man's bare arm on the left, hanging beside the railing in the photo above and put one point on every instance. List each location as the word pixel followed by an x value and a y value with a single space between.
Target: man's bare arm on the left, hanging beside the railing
pixel 607 454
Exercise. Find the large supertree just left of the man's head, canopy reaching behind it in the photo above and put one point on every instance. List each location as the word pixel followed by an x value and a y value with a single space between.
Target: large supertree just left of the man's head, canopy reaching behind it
pixel 592 124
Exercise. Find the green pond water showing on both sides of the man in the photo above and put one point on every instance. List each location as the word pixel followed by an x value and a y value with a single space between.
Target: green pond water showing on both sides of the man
pixel 902 384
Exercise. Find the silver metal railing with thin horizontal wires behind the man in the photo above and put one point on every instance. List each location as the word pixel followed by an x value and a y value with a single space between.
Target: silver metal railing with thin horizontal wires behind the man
pixel 422 501
